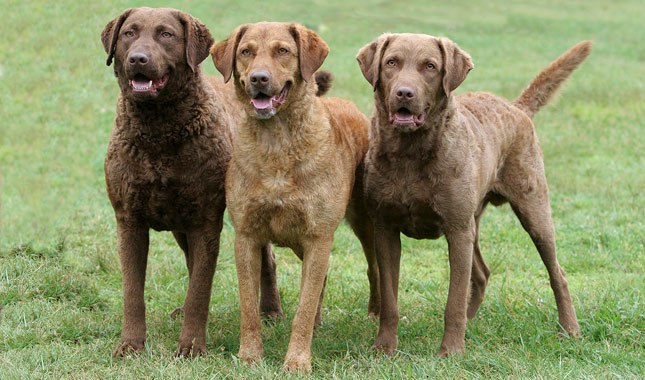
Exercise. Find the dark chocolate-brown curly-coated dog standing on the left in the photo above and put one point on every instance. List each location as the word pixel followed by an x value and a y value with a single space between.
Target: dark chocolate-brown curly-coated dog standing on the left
pixel 166 163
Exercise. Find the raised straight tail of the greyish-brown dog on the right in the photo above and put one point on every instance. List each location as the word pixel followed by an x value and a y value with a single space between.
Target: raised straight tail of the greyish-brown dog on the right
pixel 547 82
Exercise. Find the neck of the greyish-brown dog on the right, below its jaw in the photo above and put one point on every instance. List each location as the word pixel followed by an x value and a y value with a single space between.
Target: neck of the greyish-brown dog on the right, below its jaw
pixel 423 143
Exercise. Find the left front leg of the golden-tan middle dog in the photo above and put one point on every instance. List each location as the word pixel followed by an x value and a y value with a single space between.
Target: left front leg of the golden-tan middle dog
pixel 248 260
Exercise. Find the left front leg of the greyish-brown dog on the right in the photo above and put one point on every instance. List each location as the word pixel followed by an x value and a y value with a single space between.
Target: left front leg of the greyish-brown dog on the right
pixel 387 244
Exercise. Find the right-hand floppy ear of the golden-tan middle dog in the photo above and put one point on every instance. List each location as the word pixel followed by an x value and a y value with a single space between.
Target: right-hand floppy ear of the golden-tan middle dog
pixel 312 50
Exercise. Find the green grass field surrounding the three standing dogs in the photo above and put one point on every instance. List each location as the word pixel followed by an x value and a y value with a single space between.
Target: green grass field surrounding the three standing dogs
pixel 60 293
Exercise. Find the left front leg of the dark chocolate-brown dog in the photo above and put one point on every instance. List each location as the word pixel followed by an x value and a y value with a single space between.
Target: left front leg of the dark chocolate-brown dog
pixel 133 254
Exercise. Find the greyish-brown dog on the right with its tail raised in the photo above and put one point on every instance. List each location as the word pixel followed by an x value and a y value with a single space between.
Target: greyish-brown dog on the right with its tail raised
pixel 436 161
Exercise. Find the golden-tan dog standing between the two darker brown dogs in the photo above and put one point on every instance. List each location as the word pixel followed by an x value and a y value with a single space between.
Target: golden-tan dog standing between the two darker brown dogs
pixel 292 175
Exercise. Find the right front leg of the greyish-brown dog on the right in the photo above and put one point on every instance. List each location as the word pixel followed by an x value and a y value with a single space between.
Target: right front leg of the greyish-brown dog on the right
pixel 460 253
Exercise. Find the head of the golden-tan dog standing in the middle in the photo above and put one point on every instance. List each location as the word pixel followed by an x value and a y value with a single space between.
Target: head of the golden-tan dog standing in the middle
pixel 269 61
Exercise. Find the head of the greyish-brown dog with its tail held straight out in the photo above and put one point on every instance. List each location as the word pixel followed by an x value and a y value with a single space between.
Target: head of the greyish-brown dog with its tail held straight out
pixel 413 74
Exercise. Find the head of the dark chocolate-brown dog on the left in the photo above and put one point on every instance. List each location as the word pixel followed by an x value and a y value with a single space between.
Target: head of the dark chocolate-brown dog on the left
pixel 155 50
